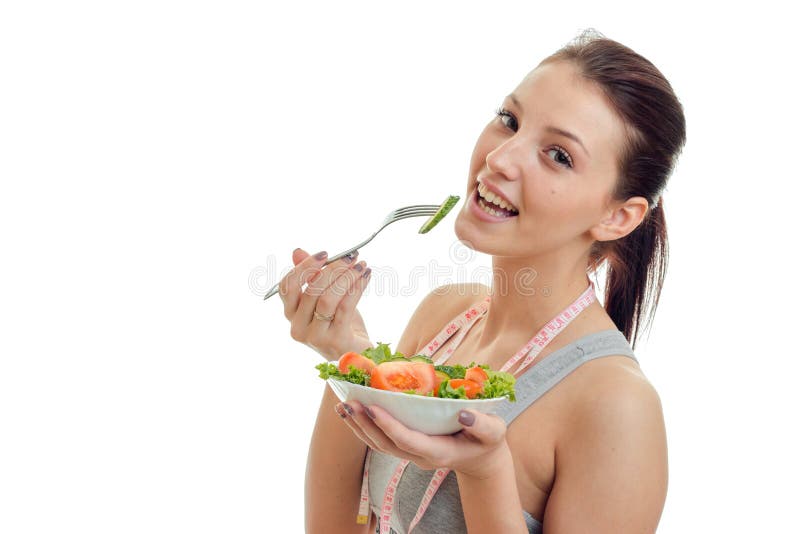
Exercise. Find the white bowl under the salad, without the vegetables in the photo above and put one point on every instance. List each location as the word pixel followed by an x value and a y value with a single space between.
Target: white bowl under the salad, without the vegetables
pixel 430 415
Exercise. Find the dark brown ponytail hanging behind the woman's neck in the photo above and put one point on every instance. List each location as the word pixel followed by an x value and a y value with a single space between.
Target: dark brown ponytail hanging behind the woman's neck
pixel 636 268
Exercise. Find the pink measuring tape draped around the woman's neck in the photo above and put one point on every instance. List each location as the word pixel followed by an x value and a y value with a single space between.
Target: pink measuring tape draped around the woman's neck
pixel 529 352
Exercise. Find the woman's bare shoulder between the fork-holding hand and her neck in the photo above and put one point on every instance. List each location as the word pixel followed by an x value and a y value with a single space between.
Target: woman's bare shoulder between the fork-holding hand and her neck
pixel 438 307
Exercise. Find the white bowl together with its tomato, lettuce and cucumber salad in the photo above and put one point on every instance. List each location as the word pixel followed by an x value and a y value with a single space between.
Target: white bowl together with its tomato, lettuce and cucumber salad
pixel 419 394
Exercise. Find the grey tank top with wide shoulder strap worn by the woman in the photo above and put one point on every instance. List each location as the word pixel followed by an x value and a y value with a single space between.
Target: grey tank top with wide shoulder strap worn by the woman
pixel 445 508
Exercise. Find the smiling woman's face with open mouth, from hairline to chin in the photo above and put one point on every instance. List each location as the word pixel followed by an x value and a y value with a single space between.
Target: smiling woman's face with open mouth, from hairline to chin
pixel 552 186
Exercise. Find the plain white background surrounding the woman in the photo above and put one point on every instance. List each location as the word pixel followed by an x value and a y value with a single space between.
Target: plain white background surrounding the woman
pixel 154 156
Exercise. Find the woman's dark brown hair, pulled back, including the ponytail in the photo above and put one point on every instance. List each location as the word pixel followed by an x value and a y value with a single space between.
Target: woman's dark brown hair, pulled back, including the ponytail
pixel 656 133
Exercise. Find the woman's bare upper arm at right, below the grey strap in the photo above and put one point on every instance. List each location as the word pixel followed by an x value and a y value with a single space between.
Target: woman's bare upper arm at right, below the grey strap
pixel 611 466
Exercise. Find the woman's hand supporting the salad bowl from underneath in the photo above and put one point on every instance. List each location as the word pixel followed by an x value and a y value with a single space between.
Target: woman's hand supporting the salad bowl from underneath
pixel 477 450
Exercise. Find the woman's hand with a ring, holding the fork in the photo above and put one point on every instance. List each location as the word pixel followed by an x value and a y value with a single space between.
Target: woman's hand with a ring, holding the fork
pixel 332 292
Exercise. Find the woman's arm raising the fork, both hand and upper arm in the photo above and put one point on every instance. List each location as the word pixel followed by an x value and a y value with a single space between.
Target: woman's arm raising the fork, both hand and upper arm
pixel 335 458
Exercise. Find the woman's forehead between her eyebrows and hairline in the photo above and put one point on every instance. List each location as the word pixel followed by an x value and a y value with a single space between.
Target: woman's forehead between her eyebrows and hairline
pixel 556 94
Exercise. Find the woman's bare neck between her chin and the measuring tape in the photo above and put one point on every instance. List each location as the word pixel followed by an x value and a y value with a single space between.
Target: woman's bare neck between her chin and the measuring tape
pixel 529 292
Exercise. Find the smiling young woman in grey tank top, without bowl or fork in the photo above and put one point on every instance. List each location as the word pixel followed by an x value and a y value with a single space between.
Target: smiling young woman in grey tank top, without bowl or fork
pixel 566 178
